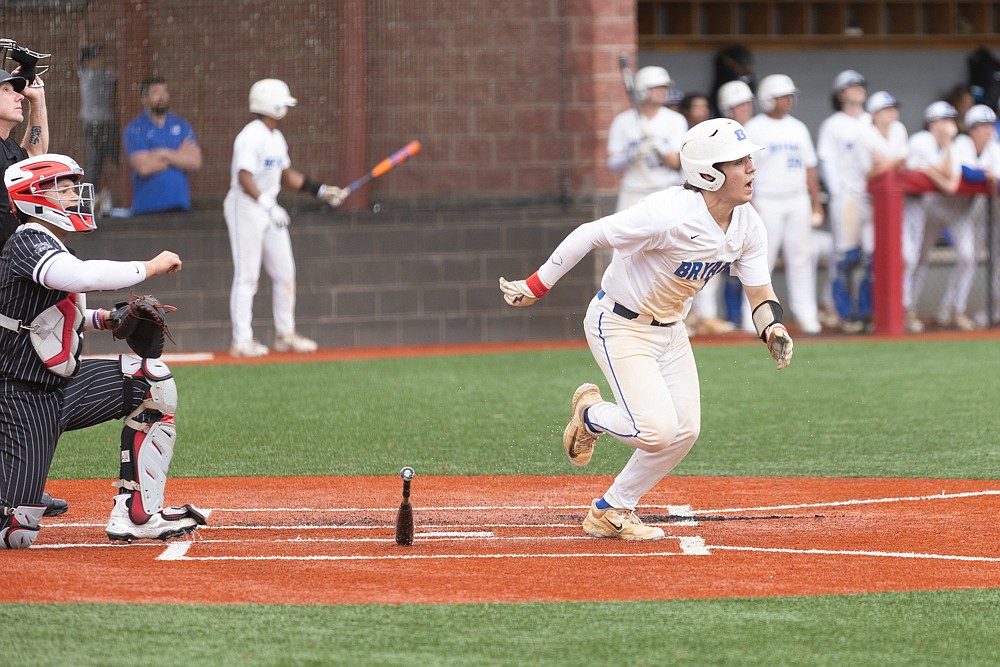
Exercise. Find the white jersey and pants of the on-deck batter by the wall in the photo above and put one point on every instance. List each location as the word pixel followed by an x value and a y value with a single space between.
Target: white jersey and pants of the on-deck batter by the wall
pixel 252 236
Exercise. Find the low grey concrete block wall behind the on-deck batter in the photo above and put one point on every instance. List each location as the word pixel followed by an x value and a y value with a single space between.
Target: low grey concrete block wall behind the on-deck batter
pixel 364 279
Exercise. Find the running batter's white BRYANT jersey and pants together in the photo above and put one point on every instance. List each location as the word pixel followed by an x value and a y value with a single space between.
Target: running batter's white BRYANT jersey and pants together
pixel 665 249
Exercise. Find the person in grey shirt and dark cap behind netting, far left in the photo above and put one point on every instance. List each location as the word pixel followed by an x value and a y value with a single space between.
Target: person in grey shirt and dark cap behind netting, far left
pixel 98 88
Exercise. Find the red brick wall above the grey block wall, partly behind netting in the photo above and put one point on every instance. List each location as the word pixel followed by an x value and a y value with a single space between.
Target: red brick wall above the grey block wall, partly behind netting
pixel 510 98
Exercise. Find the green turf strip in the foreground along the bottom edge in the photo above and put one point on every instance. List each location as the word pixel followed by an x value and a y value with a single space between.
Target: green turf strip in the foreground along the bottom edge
pixel 905 629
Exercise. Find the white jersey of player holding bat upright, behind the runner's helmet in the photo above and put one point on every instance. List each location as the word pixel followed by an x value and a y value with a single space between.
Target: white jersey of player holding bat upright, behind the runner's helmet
pixel 644 175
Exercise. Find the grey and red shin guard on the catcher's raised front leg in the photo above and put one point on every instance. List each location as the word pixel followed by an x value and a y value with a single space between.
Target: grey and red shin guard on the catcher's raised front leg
pixel 148 437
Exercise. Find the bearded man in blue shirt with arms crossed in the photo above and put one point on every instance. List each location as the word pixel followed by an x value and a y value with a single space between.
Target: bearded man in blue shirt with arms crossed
pixel 161 148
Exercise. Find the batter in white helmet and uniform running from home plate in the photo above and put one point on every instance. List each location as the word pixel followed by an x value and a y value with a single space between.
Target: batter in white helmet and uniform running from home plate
pixel 665 248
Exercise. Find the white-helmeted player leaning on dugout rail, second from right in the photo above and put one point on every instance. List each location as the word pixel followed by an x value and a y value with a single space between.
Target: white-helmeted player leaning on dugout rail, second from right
pixel 930 154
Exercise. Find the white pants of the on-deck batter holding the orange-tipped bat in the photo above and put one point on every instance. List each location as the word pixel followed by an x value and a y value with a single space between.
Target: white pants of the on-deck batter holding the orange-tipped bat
pixel 254 241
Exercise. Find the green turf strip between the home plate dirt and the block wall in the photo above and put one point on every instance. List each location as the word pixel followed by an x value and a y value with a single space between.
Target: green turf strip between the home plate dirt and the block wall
pixel 871 409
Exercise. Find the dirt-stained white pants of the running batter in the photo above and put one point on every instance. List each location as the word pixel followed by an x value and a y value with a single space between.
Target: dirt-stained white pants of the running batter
pixel 654 378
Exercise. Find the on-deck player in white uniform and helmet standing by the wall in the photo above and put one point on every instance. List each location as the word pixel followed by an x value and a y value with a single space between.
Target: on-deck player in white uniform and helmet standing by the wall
pixel 258 225
